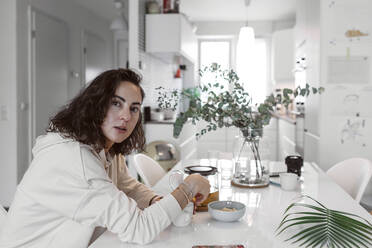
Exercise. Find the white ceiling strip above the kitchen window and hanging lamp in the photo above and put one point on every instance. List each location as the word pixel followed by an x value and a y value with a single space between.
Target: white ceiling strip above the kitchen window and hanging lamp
pixel 235 10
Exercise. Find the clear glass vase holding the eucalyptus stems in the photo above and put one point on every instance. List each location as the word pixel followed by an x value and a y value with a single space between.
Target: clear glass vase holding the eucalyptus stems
pixel 249 170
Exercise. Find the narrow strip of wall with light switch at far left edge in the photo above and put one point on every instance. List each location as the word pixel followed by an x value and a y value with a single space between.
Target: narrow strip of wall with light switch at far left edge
pixel 8 120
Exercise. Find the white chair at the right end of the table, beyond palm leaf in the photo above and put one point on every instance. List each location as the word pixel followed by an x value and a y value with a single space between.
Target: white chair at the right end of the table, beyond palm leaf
pixel 352 175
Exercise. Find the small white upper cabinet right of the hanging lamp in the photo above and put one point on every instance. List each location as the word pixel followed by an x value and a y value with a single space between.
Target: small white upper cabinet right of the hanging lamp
pixel 283 56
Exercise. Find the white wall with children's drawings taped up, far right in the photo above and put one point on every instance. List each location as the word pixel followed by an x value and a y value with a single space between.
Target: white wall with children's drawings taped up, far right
pixel 335 22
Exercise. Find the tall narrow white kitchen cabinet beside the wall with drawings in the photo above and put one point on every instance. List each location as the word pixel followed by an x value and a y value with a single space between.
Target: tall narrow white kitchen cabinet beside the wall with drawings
pixel 307 53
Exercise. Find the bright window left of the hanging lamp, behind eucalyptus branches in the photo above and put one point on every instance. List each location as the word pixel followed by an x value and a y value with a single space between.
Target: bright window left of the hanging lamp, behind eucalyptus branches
pixel 214 51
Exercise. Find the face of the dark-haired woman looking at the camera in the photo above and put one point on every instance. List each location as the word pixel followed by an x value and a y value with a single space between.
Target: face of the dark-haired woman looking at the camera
pixel 122 114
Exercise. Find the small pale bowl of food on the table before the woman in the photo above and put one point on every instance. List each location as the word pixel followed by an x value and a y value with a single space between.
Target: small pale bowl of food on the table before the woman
pixel 215 210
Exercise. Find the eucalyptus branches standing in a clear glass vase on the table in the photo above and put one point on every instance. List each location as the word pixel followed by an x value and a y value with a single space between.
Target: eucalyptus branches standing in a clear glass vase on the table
pixel 232 107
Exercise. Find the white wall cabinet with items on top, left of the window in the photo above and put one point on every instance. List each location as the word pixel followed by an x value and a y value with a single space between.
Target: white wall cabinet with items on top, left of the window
pixel 168 35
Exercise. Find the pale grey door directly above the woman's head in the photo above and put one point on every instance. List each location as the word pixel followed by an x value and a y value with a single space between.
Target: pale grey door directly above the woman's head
pixel 96 55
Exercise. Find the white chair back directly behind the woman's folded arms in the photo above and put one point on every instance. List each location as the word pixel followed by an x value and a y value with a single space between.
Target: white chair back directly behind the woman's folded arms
pixel 149 170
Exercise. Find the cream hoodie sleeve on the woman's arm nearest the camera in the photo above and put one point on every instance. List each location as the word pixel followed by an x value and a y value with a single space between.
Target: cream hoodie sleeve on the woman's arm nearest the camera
pixel 105 205
